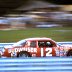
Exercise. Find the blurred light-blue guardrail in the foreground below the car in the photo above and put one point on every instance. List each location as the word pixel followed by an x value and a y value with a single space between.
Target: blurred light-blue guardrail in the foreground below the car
pixel 46 64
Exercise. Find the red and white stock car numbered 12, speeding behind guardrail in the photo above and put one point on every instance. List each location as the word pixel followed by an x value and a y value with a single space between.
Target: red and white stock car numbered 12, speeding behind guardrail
pixel 35 47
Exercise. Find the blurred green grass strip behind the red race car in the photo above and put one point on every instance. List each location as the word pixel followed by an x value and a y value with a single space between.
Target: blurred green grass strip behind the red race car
pixel 57 34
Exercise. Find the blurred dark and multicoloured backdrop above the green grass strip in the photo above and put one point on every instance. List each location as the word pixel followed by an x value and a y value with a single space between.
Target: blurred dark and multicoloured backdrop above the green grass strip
pixel 23 14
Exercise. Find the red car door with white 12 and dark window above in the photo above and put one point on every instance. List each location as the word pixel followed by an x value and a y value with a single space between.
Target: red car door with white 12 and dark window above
pixel 45 48
